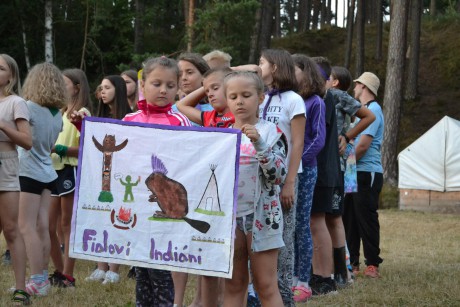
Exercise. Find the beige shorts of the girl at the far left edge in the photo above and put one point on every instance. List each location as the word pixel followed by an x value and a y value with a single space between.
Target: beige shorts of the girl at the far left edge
pixel 9 171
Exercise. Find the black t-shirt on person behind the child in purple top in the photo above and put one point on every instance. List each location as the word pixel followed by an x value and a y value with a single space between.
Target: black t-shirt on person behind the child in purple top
pixel 328 157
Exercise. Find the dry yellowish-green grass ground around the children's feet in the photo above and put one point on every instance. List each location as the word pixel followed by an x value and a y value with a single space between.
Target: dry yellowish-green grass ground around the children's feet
pixel 421 267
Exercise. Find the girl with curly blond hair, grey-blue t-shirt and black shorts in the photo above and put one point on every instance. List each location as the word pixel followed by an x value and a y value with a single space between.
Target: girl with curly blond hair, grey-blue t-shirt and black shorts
pixel 45 92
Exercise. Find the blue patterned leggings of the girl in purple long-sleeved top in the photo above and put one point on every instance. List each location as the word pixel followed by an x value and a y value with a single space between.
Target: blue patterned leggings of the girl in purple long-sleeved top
pixel 303 240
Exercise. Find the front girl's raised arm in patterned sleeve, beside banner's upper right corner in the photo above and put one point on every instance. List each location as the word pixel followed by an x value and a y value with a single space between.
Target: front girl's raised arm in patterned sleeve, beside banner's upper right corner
pixel 271 159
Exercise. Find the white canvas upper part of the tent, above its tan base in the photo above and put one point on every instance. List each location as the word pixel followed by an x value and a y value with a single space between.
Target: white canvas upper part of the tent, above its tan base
pixel 432 162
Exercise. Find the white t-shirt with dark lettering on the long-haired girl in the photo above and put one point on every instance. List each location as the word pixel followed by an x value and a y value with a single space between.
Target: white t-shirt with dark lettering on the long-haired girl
pixel 282 109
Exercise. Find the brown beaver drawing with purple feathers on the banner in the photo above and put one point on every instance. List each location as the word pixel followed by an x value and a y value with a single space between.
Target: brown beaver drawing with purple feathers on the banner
pixel 170 195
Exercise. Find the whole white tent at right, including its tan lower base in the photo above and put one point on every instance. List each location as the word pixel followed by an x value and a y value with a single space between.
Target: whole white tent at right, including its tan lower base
pixel 429 170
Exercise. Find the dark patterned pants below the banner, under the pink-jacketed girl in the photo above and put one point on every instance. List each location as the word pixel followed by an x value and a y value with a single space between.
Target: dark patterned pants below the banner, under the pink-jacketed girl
pixel 154 288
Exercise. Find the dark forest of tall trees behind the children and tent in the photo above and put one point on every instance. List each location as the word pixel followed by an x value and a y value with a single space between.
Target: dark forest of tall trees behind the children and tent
pixel 412 45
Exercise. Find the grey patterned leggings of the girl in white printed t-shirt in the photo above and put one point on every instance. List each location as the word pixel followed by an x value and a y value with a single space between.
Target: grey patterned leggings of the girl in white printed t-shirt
pixel 286 255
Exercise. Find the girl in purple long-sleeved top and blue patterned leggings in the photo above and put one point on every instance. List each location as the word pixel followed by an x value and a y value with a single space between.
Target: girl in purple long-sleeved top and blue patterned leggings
pixel 311 88
